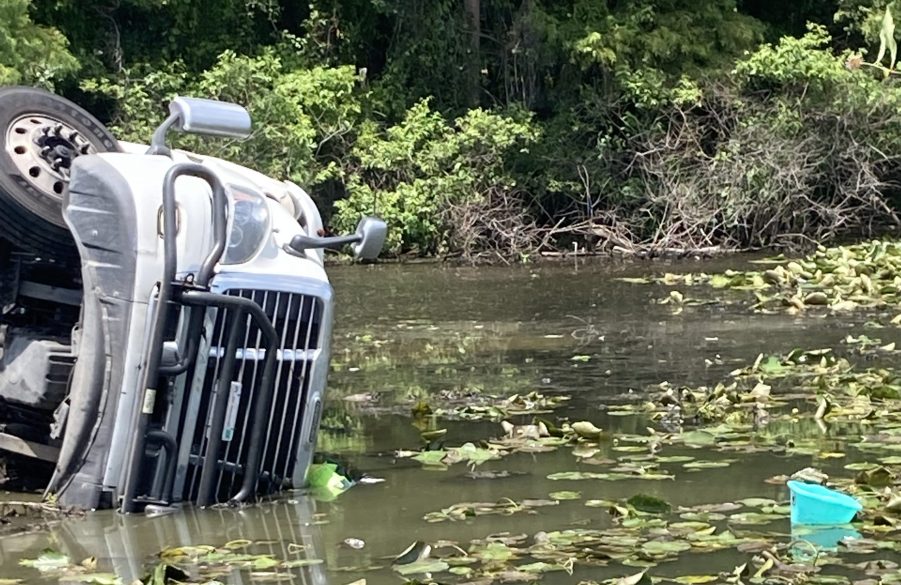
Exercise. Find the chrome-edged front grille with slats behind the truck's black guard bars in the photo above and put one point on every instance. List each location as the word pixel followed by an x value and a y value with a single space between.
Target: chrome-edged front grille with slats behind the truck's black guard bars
pixel 297 320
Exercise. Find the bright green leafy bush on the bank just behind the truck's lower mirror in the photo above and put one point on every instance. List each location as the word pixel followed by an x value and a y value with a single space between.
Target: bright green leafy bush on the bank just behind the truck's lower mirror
pixel 413 173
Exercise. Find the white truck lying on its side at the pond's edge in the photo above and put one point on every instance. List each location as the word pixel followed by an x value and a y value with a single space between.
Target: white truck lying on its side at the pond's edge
pixel 166 317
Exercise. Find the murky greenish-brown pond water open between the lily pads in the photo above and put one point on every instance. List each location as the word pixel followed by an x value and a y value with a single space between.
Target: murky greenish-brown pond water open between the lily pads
pixel 408 333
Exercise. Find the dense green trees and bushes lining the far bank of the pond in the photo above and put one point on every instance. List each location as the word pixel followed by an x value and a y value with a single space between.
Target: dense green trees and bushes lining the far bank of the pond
pixel 513 126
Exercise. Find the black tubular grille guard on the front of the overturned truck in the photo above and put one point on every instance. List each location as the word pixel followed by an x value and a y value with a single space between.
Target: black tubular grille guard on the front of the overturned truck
pixel 195 296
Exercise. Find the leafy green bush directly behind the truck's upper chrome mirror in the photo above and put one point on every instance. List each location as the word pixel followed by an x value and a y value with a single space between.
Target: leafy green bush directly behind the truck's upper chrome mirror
pixel 304 119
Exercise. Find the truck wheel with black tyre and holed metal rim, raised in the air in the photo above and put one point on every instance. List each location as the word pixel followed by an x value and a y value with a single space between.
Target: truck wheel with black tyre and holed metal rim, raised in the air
pixel 41 135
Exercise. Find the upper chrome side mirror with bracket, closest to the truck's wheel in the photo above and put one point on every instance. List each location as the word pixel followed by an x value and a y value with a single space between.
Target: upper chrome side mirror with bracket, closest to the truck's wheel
pixel 202 116
